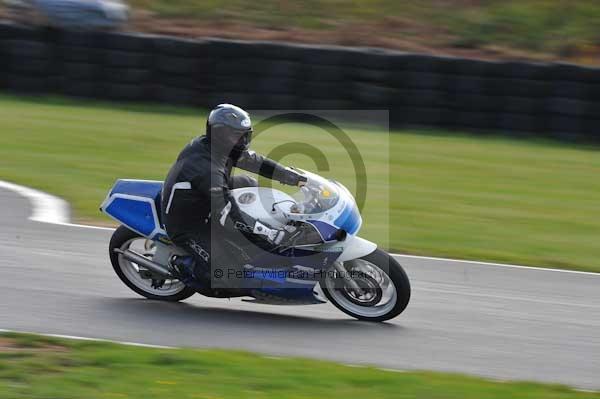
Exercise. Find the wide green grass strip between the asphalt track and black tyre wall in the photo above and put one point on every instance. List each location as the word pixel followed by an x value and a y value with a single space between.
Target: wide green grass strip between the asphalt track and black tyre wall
pixel 441 194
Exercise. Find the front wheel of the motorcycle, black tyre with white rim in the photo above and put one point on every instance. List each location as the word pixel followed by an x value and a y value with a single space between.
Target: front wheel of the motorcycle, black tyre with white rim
pixel 381 289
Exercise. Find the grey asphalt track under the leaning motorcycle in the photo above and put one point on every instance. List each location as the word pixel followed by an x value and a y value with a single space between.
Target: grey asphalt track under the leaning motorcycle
pixel 490 320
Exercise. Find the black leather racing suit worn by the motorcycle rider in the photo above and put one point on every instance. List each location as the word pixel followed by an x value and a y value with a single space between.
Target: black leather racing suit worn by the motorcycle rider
pixel 196 196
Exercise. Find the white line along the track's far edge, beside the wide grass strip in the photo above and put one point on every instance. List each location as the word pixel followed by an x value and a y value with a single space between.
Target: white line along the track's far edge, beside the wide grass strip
pixel 50 209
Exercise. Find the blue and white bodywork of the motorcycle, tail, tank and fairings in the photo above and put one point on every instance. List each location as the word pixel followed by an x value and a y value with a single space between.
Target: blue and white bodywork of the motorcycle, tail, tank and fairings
pixel 325 209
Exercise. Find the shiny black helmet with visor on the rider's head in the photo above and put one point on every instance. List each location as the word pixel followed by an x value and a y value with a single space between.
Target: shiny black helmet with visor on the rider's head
pixel 229 128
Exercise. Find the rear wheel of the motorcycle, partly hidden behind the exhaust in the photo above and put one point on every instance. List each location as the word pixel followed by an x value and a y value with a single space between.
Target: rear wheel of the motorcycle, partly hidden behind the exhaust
pixel 139 279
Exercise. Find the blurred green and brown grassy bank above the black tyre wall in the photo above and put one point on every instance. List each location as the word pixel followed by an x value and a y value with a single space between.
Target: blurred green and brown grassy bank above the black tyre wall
pixel 559 29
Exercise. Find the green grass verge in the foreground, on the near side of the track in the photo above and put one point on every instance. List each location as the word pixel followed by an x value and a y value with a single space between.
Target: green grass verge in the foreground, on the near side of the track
pixel 38 367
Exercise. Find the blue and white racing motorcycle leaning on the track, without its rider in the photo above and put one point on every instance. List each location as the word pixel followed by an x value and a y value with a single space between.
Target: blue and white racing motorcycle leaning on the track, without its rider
pixel 329 261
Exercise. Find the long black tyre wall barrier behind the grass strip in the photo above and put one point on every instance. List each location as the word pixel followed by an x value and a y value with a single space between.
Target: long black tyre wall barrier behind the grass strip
pixel 559 100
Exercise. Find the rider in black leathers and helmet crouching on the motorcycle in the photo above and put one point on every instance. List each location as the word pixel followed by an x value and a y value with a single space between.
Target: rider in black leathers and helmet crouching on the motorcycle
pixel 196 197
